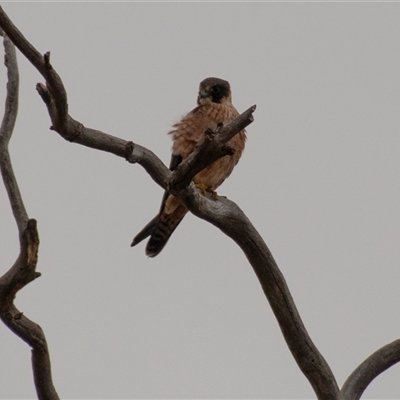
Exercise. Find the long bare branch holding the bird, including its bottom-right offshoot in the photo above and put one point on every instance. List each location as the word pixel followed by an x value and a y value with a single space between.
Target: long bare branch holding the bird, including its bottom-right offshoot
pixel 222 213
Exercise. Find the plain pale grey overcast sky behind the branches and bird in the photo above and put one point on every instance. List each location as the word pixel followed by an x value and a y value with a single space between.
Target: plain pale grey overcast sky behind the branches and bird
pixel 319 178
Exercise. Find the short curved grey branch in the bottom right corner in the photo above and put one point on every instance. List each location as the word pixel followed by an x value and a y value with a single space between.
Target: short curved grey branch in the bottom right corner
pixel 369 369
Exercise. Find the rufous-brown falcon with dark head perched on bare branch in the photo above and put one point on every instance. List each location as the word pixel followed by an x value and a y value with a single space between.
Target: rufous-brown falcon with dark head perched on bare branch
pixel 214 107
